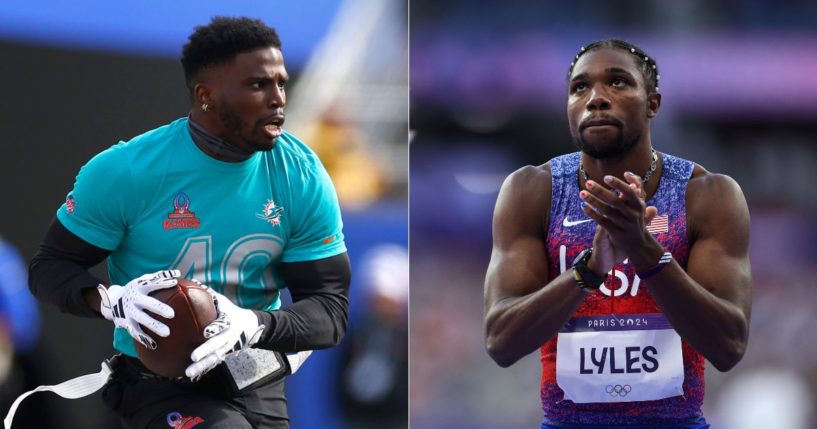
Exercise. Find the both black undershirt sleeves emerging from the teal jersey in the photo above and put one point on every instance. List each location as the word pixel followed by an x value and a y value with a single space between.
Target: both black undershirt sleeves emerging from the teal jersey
pixel 318 317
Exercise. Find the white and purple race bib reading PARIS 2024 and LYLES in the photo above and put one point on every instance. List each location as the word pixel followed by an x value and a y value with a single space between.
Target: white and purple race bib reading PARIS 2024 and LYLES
pixel 619 358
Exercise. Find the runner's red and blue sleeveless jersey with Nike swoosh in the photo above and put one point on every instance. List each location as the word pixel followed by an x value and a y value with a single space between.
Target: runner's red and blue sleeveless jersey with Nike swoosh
pixel 569 232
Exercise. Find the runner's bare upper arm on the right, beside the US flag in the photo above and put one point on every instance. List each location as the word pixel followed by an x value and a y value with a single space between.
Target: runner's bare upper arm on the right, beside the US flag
pixel 719 255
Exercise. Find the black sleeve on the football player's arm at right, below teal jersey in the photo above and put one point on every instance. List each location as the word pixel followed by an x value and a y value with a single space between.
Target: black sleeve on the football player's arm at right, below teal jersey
pixel 320 311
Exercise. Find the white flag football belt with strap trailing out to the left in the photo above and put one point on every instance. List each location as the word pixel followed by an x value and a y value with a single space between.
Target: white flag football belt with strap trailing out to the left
pixel 246 369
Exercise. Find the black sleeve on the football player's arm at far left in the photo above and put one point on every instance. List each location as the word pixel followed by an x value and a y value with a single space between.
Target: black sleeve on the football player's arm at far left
pixel 58 273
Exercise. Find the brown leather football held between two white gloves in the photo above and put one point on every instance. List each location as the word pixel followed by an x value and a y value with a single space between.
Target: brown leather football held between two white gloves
pixel 194 309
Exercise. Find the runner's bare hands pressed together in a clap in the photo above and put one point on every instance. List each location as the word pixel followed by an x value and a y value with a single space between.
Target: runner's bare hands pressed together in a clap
pixel 621 214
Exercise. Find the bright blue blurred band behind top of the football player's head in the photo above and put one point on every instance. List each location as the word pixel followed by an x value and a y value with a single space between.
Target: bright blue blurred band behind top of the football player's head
pixel 155 27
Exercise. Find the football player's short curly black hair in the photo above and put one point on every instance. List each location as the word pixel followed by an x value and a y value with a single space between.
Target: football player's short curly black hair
pixel 220 41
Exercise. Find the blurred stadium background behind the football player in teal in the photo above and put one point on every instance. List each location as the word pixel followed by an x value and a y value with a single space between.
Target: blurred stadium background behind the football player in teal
pixel 79 76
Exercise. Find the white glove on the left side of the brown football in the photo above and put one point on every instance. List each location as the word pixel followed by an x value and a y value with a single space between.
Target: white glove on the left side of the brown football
pixel 126 305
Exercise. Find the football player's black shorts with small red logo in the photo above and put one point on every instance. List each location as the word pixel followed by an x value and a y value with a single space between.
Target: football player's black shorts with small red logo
pixel 144 400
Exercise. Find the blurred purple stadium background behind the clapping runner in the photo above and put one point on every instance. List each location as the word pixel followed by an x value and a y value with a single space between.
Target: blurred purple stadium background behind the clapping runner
pixel 488 95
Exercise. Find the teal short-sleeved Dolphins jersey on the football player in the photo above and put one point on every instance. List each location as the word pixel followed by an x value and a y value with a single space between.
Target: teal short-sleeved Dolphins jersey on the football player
pixel 158 202
